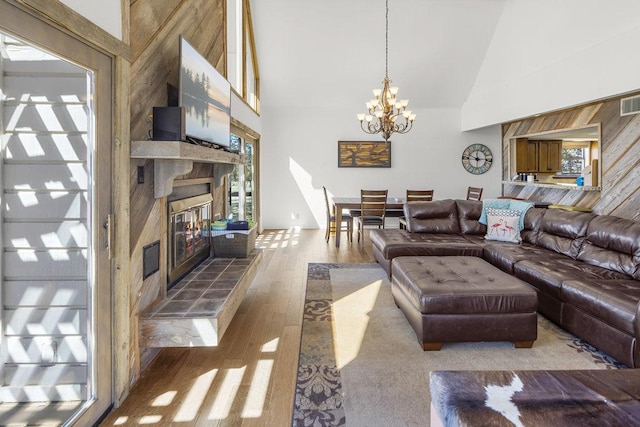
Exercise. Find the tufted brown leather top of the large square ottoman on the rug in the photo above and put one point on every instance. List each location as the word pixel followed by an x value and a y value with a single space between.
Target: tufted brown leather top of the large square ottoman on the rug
pixel 461 285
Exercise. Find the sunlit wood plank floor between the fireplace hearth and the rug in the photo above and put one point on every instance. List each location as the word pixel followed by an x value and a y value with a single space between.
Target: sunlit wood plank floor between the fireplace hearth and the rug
pixel 250 378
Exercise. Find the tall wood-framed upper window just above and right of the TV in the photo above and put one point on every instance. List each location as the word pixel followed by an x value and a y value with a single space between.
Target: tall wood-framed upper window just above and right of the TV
pixel 242 67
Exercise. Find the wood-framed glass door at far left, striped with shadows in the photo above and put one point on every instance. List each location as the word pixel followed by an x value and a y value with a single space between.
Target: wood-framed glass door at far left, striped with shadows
pixel 55 272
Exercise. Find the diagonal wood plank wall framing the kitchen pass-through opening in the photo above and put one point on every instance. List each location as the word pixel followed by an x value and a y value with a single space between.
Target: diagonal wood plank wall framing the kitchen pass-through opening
pixel 620 161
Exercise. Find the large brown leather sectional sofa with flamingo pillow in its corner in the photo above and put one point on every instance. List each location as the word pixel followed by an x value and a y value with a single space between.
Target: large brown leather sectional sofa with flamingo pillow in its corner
pixel 585 267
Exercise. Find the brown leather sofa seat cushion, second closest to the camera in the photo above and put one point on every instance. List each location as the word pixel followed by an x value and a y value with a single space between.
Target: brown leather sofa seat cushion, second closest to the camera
pixel 549 273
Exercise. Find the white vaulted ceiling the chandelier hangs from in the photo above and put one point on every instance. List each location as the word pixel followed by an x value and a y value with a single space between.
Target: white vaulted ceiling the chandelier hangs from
pixel 332 52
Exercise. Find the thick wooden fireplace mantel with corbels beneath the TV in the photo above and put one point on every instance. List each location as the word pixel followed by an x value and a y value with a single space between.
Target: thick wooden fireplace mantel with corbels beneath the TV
pixel 175 158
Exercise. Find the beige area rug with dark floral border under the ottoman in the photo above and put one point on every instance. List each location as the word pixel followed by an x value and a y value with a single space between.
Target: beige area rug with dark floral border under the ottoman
pixel 361 364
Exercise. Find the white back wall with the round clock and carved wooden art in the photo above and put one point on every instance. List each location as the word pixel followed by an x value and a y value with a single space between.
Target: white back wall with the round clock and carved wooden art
pixel 299 153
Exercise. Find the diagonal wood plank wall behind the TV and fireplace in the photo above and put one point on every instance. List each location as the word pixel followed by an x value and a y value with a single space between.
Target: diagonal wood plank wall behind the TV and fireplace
pixel 155 26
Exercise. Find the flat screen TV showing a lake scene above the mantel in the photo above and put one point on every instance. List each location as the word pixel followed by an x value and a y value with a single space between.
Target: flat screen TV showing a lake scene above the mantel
pixel 205 96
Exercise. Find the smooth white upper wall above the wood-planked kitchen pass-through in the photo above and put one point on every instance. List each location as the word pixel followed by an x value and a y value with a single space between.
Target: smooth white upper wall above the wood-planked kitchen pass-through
pixel 548 54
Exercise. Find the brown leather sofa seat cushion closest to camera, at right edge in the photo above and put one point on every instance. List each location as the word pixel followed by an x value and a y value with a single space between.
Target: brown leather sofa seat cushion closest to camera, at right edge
pixel 613 301
